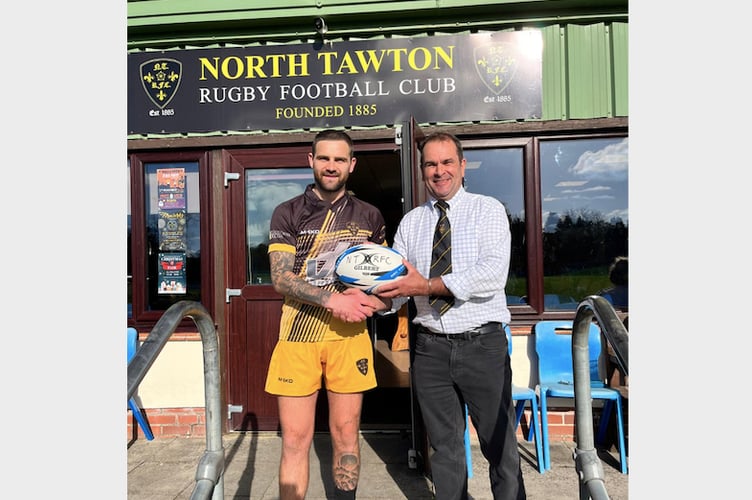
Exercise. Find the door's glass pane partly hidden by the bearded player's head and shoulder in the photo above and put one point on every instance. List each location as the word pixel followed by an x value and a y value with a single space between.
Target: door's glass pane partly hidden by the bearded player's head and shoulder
pixel 264 190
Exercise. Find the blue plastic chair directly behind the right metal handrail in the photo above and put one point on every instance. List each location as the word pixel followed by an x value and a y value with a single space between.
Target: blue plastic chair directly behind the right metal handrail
pixel 553 344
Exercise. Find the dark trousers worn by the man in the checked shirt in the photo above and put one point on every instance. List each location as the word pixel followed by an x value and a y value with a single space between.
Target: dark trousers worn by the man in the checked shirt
pixel 449 373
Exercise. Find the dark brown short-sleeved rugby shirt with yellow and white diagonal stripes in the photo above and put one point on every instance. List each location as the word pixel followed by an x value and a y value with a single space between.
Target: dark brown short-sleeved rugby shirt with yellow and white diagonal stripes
pixel 317 232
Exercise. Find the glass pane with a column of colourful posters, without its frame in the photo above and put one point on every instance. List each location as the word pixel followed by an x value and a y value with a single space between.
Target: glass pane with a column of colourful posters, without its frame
pixel 173 233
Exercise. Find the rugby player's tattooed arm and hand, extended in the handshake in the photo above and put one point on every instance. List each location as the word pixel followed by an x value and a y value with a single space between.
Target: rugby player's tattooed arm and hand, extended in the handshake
pixel 351 306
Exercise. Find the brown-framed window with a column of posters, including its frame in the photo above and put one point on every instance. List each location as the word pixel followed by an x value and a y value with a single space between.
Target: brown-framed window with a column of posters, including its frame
pixel 165 232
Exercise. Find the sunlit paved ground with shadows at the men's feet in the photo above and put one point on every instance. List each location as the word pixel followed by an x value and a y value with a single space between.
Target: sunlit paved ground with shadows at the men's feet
pixel 165 469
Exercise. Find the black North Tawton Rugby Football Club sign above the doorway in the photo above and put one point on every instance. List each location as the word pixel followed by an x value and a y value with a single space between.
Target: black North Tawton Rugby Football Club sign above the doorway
pixel 485 76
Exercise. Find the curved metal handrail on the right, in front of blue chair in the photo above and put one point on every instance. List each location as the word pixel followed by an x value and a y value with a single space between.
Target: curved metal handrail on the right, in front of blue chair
pixel 587 463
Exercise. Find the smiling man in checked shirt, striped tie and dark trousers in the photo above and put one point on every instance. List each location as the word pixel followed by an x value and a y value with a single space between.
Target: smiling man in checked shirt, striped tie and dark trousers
pixel 461 354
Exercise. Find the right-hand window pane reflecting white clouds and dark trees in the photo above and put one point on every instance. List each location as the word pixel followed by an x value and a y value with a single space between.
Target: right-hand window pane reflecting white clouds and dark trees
pixel 584 216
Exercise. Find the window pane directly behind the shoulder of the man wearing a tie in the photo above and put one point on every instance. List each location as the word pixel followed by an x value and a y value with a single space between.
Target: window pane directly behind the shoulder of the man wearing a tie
pixel 499 173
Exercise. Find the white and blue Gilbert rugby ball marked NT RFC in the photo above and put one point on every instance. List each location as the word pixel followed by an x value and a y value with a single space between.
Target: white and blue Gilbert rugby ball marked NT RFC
pixel 367 266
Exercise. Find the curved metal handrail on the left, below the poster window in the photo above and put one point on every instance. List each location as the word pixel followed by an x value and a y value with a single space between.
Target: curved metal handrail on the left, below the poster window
pixel 209 473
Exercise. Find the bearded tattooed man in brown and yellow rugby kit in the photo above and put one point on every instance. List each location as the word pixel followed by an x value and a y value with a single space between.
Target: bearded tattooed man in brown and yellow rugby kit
pixel 322 330
